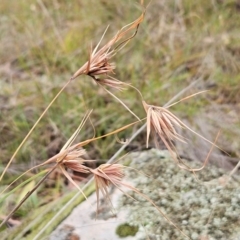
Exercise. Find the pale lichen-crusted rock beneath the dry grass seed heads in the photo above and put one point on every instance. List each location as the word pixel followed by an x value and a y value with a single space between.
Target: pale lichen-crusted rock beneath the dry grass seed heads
pixel 202 205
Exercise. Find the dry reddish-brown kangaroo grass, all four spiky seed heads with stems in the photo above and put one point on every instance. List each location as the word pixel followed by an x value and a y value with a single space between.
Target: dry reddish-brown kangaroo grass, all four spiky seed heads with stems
pixel 159 120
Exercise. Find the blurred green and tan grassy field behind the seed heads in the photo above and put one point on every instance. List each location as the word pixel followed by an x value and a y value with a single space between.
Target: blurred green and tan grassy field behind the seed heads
pixel 180 42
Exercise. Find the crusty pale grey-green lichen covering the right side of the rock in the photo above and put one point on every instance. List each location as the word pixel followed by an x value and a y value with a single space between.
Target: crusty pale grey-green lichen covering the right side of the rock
pixel 200 204
